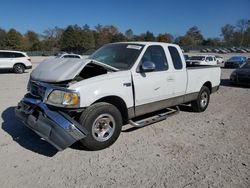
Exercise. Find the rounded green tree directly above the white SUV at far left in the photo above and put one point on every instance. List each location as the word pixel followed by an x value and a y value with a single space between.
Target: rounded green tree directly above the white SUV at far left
pixel 13 40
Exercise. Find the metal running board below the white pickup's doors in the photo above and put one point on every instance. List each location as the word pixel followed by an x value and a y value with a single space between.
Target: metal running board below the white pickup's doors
pixel 155 118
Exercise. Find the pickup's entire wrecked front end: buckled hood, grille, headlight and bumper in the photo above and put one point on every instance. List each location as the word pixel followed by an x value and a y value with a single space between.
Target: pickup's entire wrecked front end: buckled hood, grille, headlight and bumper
pixel 51 109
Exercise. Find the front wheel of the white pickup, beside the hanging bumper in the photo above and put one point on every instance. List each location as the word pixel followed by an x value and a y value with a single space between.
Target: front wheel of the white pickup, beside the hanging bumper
pixel 104 123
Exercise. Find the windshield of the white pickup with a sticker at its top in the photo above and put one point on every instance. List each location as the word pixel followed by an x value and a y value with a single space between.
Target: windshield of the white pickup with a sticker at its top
pixel 121 56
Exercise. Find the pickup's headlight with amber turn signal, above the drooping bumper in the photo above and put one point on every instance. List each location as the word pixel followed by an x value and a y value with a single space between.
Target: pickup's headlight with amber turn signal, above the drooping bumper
pixel 63 98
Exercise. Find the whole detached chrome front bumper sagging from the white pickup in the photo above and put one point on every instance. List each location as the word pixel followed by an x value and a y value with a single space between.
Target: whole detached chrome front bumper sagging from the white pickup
pixel 55 127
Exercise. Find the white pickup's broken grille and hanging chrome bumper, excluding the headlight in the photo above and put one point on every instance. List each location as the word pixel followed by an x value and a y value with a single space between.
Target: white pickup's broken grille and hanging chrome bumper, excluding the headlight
pixel 54 125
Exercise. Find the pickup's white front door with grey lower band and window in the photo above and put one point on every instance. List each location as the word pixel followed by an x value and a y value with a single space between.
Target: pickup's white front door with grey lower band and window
pixel 152 87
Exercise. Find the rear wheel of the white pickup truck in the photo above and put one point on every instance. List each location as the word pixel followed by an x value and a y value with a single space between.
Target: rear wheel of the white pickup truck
pixel 201 103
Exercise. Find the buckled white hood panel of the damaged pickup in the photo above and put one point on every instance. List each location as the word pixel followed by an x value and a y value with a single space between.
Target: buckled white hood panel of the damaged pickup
pixel 58 69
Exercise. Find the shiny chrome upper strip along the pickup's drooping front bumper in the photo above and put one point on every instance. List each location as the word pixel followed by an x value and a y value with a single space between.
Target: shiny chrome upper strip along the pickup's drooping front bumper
pixel 56 118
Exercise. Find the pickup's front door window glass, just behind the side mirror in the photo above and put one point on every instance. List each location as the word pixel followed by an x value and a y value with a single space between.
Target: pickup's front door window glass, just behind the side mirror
pixel 156 55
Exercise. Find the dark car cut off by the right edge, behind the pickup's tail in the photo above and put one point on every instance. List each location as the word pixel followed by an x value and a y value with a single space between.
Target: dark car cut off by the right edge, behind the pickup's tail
pixel 241 75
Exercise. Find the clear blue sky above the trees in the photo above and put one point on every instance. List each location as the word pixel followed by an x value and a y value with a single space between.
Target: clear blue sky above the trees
pixel 157 16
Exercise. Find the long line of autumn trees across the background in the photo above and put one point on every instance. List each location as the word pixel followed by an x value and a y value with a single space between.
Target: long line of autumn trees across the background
pixel 75 38
